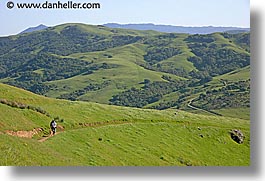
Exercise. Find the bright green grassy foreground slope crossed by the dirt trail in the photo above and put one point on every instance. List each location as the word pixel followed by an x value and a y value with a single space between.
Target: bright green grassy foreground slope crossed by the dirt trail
pixel 96 134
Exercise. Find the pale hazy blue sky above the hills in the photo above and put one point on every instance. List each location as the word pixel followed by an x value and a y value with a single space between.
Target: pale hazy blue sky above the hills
pixel 170 12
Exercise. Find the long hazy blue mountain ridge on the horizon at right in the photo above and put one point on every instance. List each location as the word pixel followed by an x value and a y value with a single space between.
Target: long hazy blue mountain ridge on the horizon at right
pixel 177 29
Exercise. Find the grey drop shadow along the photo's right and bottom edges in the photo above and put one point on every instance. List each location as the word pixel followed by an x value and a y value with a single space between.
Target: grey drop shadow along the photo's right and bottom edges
pixel 235 172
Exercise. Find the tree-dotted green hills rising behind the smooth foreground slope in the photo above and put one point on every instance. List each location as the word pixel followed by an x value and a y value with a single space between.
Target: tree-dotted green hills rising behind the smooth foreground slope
pixel 144 69
